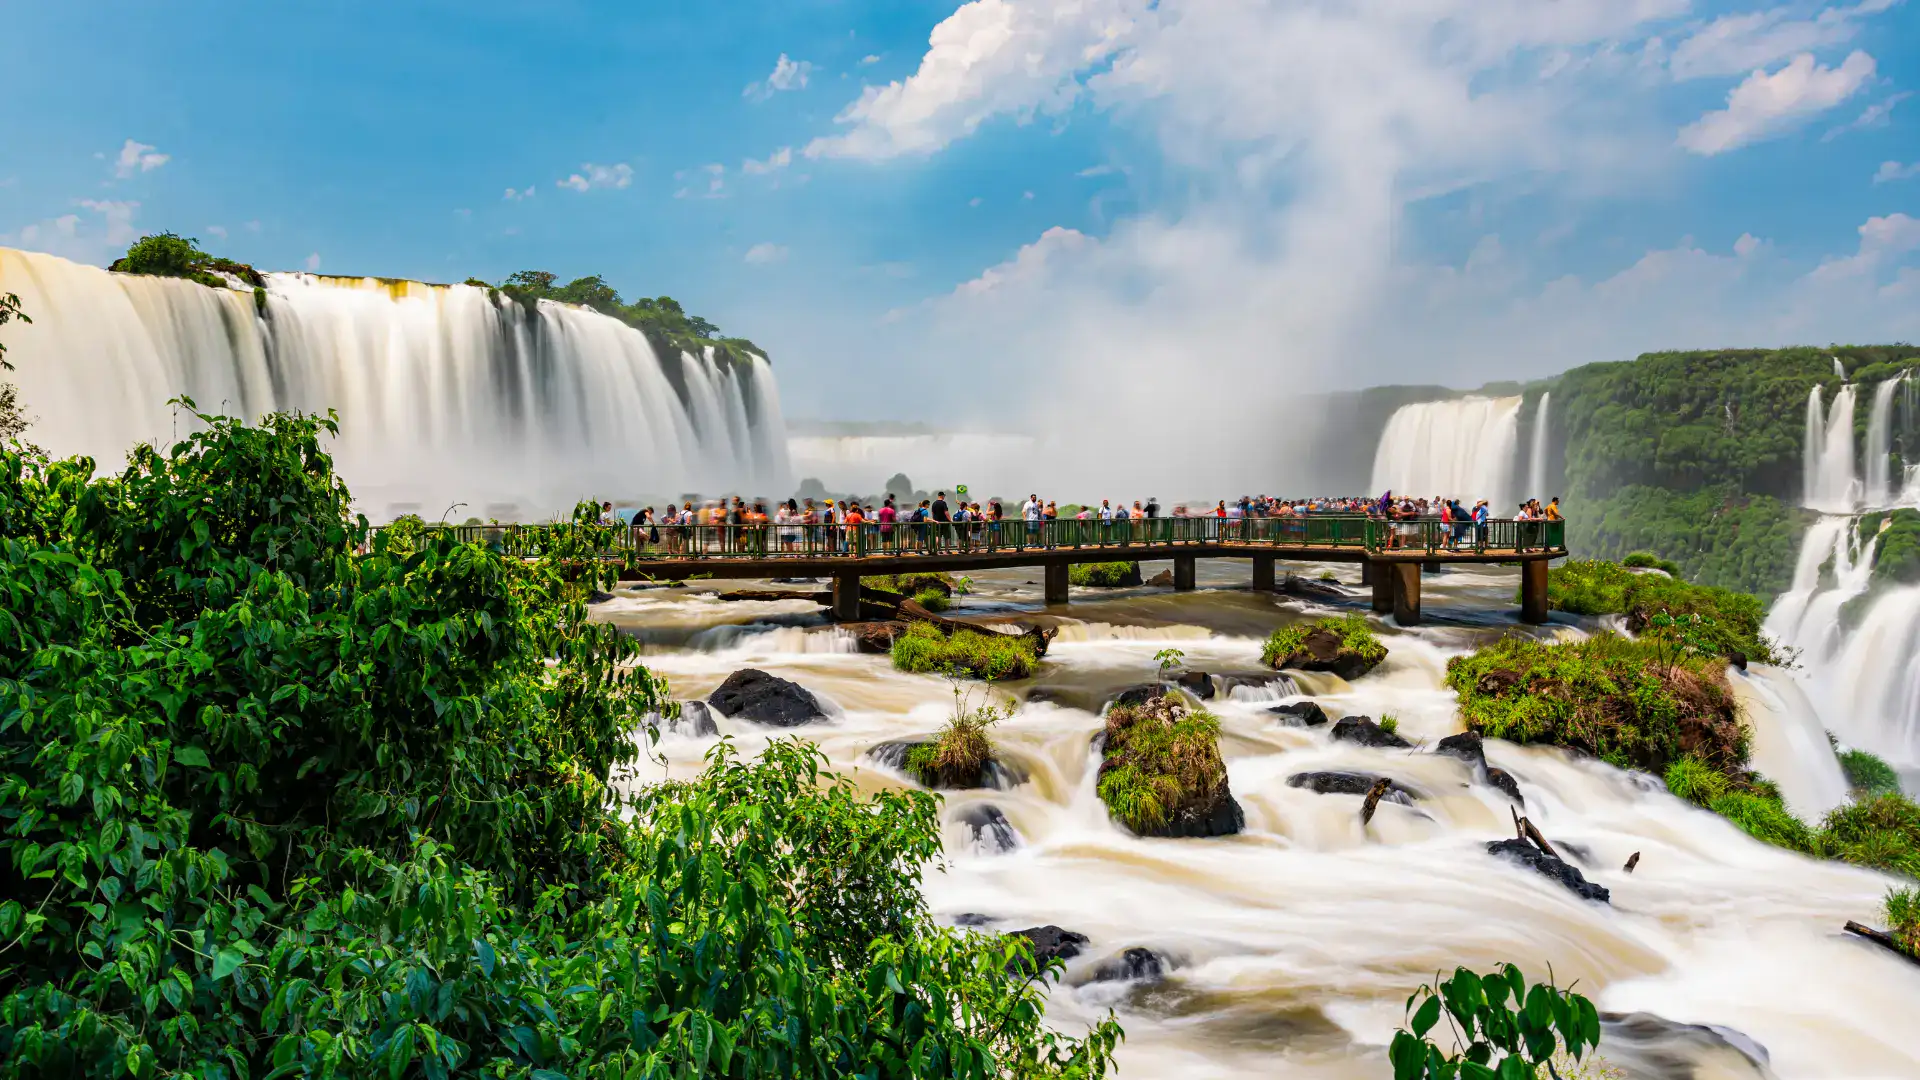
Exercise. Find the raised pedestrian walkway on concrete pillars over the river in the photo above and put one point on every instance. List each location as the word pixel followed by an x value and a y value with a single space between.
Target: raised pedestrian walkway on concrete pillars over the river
pixel 1391 552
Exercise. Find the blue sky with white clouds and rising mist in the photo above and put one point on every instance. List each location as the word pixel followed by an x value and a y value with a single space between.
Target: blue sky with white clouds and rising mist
pixel 928 209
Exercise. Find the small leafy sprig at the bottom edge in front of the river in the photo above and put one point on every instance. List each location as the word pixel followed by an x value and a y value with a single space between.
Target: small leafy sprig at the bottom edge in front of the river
pixel 1499 1027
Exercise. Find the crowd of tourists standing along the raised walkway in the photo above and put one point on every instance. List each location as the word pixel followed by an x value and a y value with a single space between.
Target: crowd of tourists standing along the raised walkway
pixel 836 526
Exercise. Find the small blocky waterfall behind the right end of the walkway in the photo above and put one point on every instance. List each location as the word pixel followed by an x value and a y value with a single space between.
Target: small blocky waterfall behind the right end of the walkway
pixel 1458 449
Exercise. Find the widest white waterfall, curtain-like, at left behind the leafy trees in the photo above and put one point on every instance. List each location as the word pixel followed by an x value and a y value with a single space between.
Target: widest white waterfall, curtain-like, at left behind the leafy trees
pixel 446 393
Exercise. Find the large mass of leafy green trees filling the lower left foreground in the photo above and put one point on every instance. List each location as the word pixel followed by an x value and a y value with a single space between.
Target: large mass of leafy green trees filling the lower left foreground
pixel 279 806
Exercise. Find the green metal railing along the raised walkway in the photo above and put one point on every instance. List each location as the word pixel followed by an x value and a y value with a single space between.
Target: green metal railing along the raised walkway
pixel 775 541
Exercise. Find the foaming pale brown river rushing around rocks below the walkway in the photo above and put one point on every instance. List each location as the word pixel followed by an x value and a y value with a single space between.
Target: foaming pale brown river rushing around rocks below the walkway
pixel 1295 945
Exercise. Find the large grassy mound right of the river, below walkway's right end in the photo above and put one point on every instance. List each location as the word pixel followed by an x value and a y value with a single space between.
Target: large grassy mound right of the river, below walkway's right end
pixel 1620 700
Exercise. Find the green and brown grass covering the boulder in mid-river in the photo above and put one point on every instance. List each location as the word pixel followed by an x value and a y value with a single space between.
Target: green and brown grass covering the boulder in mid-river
pixel 1159 760
